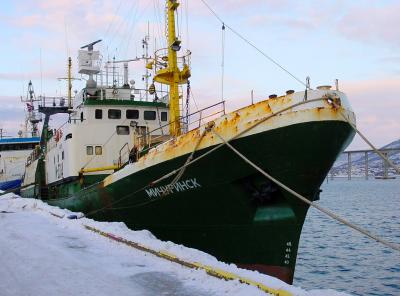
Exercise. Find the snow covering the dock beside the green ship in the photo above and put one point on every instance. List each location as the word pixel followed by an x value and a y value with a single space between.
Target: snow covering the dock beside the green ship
pixel 42 252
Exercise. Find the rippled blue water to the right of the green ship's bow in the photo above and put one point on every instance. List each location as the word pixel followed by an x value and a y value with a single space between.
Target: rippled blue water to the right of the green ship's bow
pixel 334 256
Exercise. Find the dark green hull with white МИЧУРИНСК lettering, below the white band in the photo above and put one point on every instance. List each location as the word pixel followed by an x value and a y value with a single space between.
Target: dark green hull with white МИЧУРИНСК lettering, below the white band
pixel 221 205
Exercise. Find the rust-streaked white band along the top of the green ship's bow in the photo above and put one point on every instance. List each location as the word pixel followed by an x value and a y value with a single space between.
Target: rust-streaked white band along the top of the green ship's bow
pixel 246 117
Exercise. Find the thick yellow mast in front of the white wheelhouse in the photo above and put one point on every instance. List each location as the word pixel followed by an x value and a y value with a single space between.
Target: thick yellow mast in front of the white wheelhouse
pixel 172 75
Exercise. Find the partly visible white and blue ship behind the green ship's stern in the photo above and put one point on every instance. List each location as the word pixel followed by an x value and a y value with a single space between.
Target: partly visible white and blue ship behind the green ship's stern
pixel 14 150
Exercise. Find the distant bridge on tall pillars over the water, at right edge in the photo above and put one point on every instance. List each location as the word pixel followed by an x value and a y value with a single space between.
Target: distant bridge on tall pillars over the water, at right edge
pixel 386 152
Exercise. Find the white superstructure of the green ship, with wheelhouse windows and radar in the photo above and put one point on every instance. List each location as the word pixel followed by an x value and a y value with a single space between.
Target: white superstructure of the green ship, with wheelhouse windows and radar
pixel 108 125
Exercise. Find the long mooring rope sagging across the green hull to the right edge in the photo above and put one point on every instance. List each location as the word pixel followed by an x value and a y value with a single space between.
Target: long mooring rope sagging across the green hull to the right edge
pixel 391 245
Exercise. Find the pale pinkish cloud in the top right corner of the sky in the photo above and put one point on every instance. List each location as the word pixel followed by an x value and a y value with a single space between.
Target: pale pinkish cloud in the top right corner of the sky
pixel 372 24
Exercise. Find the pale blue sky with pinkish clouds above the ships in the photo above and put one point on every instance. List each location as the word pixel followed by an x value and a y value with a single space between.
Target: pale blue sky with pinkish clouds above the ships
pixel 356 42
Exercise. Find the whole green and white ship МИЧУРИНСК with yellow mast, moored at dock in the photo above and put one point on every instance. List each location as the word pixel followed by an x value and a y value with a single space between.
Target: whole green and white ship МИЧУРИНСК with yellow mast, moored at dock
pixel 133 155
